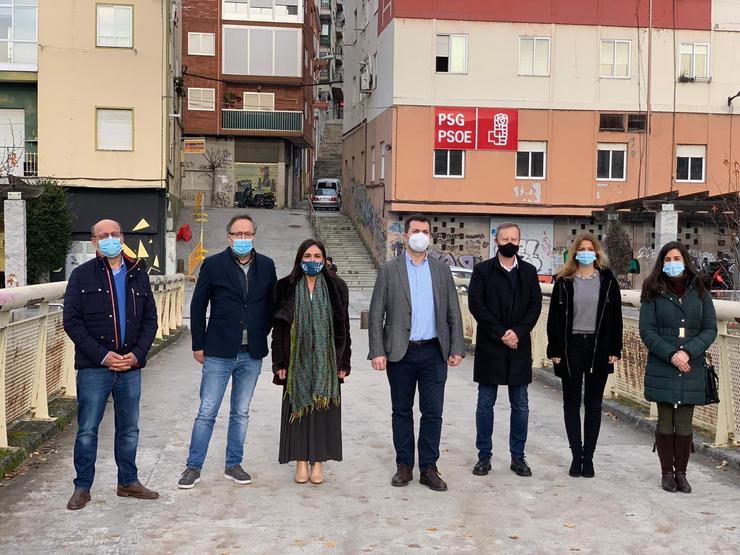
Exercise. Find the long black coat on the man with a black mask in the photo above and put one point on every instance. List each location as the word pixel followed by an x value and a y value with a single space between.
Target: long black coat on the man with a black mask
pixel 496 308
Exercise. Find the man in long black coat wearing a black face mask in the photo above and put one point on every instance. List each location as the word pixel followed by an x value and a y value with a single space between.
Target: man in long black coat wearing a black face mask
pixel 505 299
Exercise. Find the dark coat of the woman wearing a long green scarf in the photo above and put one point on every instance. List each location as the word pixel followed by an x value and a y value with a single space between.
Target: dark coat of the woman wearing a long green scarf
pixel 284 303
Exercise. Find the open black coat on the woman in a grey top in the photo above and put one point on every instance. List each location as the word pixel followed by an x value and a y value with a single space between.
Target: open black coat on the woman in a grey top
pixel 608 323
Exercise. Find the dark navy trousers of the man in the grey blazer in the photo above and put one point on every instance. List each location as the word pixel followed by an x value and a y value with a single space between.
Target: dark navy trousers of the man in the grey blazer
pixel 426 367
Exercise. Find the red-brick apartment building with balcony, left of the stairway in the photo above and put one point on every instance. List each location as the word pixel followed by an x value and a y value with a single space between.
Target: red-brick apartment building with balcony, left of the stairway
pixel 251 83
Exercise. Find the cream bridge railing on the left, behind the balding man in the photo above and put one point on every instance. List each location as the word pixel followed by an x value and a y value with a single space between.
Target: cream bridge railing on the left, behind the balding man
pixel 37 357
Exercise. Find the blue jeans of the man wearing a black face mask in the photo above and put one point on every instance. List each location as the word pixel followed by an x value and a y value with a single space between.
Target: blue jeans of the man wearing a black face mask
pixel 484 419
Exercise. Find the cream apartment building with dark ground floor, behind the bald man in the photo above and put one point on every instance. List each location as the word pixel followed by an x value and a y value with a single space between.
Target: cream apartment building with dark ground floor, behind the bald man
pixel 108 127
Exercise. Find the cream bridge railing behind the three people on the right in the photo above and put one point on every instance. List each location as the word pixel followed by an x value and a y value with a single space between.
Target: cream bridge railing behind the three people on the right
pixel 721 420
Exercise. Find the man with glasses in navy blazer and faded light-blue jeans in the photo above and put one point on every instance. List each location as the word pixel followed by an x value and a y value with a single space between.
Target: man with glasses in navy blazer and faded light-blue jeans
pixel 238 284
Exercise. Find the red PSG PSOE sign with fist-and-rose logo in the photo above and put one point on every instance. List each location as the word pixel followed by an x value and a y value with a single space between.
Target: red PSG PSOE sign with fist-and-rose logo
pixel 476 128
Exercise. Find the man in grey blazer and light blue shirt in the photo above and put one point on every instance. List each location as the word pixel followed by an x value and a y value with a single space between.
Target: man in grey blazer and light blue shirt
pixel 415 332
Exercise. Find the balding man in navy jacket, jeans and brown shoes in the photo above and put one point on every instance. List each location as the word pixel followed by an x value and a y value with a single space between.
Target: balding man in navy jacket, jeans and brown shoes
pixel 110 316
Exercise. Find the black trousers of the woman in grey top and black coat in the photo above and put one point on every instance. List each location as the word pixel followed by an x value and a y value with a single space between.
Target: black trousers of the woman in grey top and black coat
pixel 580 356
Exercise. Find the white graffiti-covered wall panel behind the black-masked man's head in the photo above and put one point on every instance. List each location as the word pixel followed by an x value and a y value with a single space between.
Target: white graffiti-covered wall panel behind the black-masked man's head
pixel 536 245
